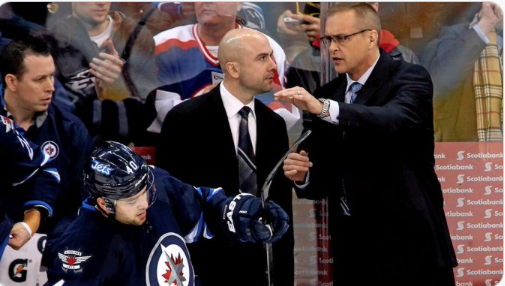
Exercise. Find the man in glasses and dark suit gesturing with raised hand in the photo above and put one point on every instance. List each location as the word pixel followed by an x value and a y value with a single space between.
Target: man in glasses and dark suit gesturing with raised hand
pixel 372 156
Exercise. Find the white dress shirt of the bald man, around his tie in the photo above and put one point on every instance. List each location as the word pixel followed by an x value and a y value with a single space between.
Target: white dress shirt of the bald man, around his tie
pixel 232 106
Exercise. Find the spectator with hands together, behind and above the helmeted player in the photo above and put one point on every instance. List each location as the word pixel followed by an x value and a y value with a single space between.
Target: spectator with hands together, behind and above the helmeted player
pixel 106 63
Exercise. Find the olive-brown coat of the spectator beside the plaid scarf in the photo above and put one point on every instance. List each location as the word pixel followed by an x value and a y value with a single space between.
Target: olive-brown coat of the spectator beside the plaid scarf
pixel 452 71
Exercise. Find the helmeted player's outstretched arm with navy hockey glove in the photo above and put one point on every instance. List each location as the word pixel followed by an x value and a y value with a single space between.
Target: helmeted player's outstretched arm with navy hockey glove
pixel 239 218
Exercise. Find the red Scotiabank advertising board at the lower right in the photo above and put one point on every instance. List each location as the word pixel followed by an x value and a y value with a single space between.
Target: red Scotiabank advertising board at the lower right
pixel 471 175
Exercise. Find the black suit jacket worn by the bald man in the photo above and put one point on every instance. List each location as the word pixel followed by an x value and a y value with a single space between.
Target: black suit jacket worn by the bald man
pixel 196 146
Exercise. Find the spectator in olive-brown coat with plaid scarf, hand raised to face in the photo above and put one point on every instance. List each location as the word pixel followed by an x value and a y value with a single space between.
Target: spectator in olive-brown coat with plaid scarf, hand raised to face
pixel 465 62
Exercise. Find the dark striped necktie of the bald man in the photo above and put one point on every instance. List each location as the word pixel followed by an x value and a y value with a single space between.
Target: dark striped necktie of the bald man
pixel 246 167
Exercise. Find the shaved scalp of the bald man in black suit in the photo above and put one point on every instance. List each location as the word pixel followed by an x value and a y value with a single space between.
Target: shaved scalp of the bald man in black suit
pixel 235 44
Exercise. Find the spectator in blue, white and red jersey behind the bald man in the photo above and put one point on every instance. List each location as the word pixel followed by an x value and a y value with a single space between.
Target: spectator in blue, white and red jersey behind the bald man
pixel 188 65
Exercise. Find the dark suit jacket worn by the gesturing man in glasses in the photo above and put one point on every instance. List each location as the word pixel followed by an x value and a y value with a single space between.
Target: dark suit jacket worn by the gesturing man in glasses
pixel 382 152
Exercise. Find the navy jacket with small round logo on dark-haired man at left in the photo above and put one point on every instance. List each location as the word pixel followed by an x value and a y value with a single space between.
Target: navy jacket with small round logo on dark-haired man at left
pixel 65 139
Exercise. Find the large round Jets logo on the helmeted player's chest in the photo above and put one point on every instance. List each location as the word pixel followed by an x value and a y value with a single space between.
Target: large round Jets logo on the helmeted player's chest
pixel 169 263
